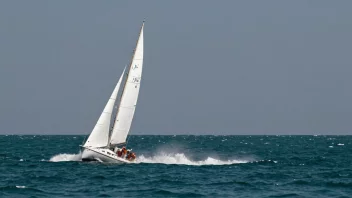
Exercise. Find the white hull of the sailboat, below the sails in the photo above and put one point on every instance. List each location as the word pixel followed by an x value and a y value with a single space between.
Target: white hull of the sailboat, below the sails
pixel 102 155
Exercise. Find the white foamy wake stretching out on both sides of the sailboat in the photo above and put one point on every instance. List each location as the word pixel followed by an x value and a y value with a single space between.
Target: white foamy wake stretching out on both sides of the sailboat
pixel 160 158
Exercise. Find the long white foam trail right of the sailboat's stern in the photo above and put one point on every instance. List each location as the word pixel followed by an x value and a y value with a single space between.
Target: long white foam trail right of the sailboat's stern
pixel 180 158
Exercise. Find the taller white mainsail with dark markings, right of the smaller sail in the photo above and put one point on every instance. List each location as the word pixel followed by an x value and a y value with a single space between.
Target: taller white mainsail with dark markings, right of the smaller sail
pixel 129 96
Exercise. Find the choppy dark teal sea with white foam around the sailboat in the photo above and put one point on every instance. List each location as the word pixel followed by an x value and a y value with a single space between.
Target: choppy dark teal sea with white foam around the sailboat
pixel 180 166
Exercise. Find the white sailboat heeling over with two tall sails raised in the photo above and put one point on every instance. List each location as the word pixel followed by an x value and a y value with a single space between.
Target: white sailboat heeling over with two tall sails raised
pixel 104 141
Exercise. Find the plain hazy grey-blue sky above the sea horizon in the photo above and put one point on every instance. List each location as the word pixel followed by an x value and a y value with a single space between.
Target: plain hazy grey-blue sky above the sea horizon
pixel 210 67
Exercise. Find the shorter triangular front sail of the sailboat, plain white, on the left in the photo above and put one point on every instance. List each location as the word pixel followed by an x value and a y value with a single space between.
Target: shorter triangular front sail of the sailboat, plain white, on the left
pixel 99 137
